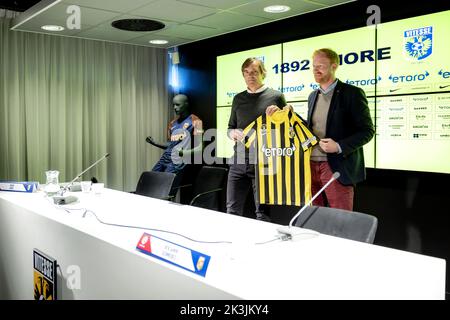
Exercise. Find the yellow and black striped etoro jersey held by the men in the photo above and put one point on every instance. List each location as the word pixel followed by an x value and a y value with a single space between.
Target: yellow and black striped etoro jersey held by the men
pixel 282 144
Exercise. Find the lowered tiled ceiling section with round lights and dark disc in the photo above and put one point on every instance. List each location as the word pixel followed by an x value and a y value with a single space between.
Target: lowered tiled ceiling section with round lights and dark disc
pixel 185 20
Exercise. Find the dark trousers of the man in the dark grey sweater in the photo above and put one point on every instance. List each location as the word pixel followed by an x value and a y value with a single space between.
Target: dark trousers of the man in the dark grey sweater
pixel 240 177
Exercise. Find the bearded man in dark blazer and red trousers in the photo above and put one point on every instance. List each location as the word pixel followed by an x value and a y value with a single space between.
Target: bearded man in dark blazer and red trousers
pixel 339 115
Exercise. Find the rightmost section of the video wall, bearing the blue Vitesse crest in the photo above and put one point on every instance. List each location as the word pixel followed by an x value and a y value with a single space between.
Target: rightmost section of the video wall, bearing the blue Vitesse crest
pixel 413 115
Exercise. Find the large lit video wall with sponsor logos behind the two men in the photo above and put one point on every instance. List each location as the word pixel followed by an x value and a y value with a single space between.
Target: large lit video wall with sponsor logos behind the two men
pixel 404 68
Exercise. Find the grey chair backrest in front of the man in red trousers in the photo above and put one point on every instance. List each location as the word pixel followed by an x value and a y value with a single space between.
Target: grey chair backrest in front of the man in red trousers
pixel 339 223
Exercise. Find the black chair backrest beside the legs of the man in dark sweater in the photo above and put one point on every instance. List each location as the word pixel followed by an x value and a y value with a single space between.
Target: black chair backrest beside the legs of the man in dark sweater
pixel 208 187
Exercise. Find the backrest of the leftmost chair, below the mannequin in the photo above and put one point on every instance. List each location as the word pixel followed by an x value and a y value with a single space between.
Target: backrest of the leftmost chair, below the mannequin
pixel 155 184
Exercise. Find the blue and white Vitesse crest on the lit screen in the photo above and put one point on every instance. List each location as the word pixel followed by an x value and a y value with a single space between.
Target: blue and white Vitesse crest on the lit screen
pixel 418 43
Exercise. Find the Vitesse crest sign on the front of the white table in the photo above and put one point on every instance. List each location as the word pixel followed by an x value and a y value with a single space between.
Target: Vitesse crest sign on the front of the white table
pixel 44 276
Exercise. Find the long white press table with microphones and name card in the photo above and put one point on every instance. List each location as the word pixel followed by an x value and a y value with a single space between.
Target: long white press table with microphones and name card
pixel 251 267
